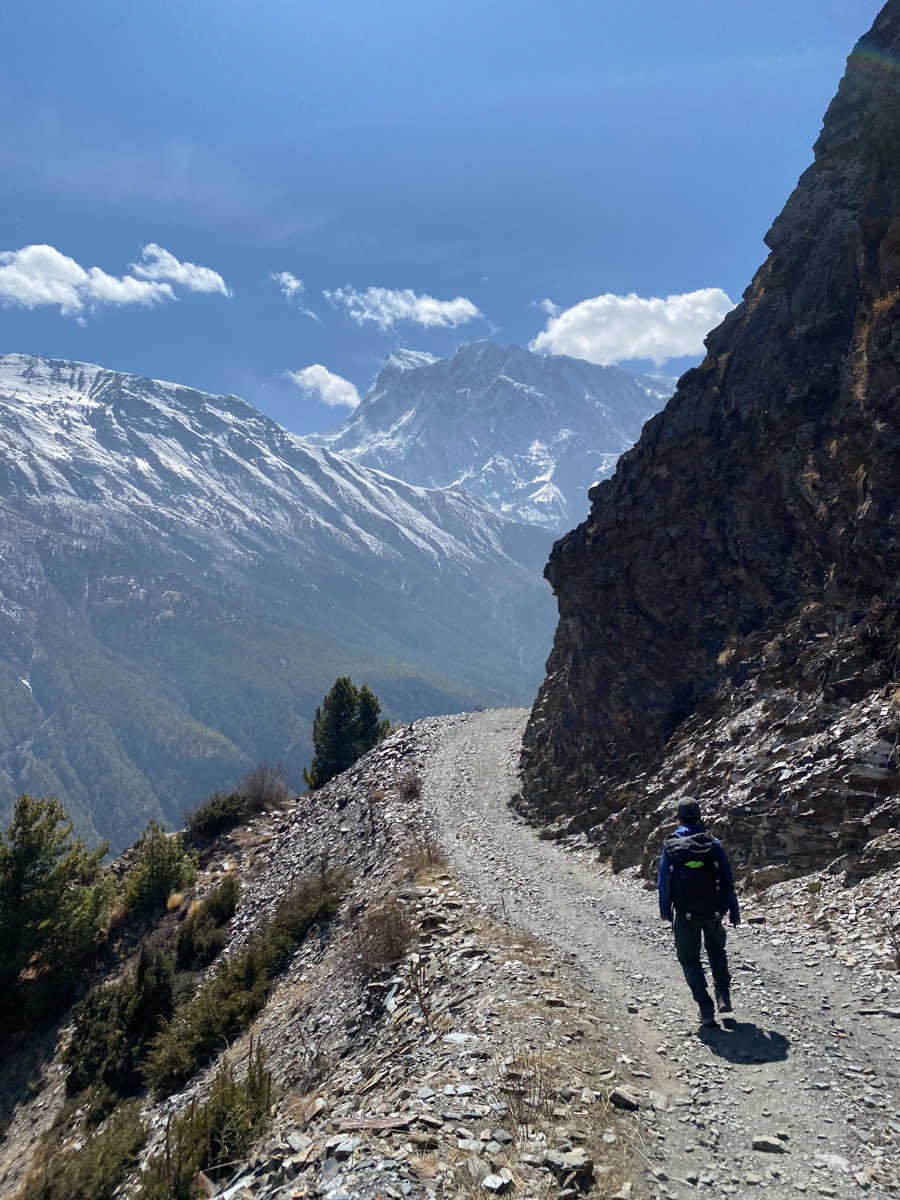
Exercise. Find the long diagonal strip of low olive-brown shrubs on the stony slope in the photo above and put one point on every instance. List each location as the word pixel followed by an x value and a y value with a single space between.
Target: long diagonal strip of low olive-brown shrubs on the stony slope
pixel 225 1005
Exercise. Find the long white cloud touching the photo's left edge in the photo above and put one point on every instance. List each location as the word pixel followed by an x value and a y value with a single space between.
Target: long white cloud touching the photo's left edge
pixel 38 277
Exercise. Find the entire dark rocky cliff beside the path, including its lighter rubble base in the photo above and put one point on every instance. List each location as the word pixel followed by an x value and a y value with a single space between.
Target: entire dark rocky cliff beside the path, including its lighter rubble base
pixel 746 551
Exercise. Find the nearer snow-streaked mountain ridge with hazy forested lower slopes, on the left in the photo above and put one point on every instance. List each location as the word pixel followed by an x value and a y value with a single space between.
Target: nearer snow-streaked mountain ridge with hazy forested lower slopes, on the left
pixel 183 579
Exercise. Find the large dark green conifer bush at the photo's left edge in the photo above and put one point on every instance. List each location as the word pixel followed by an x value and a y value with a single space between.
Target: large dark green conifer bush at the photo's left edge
pixel 55 902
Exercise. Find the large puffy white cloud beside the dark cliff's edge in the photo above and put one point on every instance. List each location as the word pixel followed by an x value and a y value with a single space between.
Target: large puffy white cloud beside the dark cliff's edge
pixel 615 329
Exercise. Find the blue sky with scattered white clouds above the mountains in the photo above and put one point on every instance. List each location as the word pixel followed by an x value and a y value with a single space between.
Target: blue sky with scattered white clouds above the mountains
pixel 466 160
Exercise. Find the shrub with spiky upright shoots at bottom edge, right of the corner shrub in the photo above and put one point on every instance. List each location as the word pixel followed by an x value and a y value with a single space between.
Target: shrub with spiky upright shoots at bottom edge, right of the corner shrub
pixel 212 1135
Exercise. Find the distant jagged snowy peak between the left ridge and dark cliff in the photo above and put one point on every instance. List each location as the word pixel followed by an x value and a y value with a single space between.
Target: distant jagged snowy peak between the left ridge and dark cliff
pixel 526 433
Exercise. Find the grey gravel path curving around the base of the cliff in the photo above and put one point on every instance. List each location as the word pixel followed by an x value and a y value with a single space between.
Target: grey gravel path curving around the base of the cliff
pixel 809 1060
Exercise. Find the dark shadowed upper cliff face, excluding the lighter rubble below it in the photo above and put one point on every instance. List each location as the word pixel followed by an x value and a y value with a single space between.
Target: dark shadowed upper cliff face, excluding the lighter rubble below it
pixel 770 483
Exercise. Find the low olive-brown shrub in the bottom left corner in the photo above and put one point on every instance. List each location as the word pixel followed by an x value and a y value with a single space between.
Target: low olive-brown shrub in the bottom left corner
pixel 94 1169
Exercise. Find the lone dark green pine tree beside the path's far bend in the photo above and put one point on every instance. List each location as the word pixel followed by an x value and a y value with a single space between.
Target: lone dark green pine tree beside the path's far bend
pixel 347 724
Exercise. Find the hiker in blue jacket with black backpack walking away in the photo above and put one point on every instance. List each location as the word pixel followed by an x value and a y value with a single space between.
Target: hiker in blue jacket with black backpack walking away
pixel 697 883
